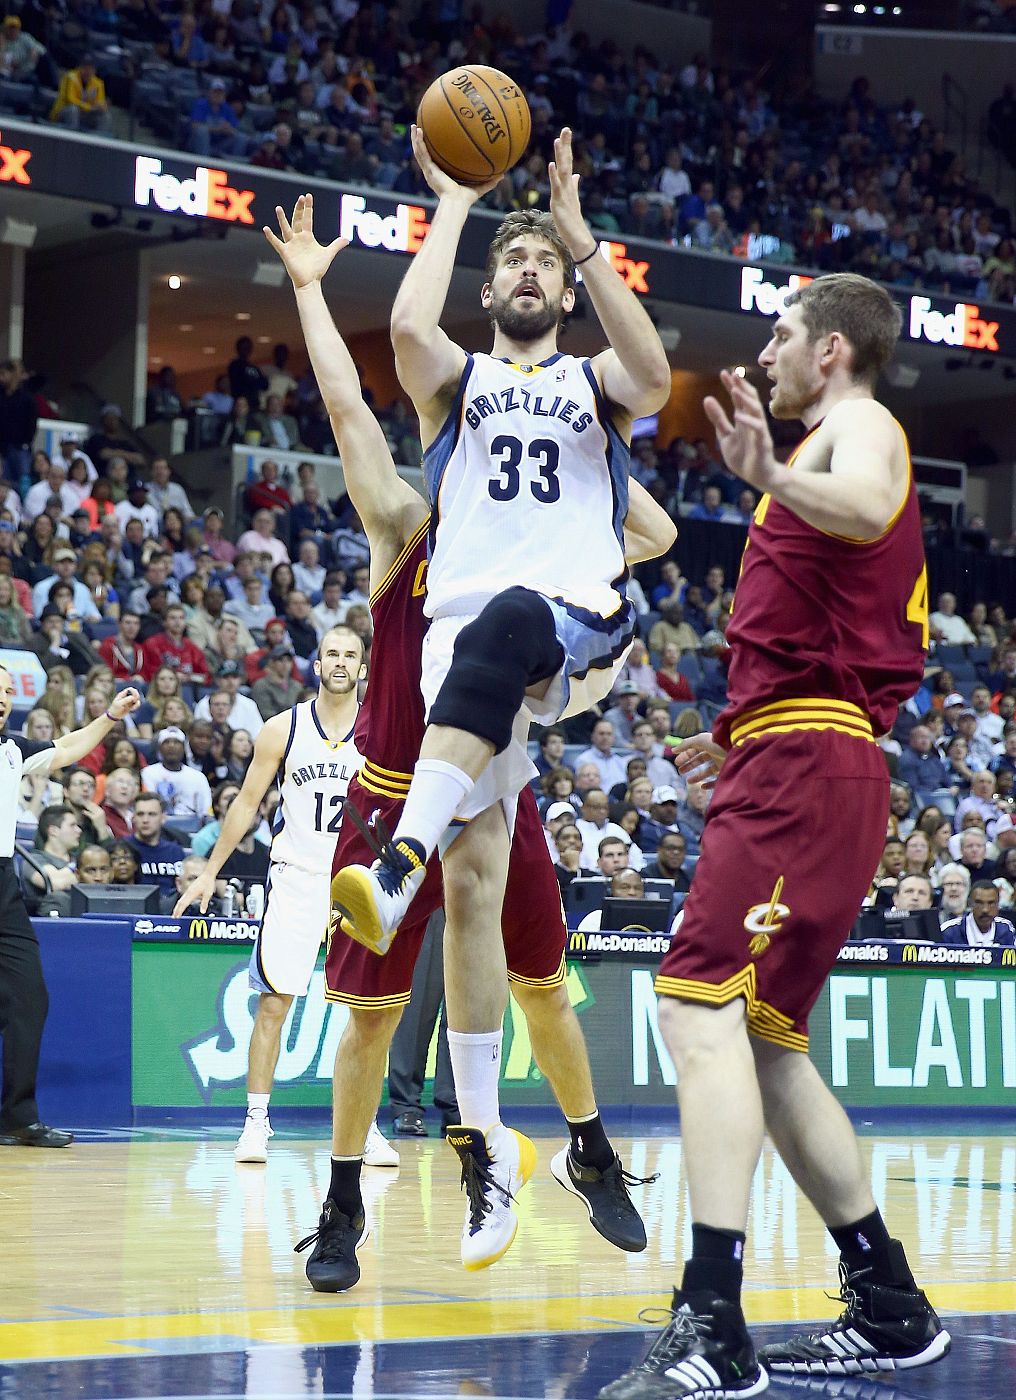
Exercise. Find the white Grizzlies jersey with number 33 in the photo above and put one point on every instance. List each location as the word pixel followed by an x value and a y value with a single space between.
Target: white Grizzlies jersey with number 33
pixel 530 485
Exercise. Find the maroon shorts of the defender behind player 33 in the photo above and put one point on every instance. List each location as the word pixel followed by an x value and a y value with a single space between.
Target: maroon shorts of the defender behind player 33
pixel 532 919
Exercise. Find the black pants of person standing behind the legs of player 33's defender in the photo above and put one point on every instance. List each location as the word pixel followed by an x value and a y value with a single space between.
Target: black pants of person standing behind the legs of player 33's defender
pixel 408 1059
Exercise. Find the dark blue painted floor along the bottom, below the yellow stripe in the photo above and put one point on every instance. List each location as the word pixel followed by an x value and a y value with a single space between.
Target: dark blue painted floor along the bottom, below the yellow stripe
pixel 573 1366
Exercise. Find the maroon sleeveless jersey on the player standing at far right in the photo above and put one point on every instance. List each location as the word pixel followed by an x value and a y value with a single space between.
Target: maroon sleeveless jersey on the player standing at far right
pixel 824 617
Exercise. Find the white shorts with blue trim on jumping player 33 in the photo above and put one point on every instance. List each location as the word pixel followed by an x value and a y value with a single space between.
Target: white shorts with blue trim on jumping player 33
pixel 579 685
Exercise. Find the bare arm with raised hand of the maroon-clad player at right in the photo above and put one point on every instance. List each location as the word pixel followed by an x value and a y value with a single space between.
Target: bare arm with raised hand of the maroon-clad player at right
pixel 857 475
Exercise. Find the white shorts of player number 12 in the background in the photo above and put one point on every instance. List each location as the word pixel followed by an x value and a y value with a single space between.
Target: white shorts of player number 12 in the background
pixel 293 930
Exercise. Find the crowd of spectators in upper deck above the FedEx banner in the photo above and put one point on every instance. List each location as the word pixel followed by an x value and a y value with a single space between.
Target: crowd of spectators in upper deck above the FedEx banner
pixel 691 155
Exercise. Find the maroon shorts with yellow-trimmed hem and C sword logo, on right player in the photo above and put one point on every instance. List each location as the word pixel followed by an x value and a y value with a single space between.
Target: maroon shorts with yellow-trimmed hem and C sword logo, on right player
pixel 793 839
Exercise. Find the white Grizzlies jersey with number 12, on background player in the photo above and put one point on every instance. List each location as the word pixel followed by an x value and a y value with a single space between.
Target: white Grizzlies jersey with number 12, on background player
pixel 316 776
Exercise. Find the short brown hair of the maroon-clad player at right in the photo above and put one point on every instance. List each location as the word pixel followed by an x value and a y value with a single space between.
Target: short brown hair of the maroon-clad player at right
pixel 860 310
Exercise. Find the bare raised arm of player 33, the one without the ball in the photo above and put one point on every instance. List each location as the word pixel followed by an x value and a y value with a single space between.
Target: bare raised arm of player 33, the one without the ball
pixel 635 373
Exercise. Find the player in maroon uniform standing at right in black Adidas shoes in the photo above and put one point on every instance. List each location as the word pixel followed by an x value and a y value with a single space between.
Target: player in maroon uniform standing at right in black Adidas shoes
pixel 828 639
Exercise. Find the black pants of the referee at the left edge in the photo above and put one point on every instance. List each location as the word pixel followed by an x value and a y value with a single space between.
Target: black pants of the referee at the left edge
pixel 23 1004
